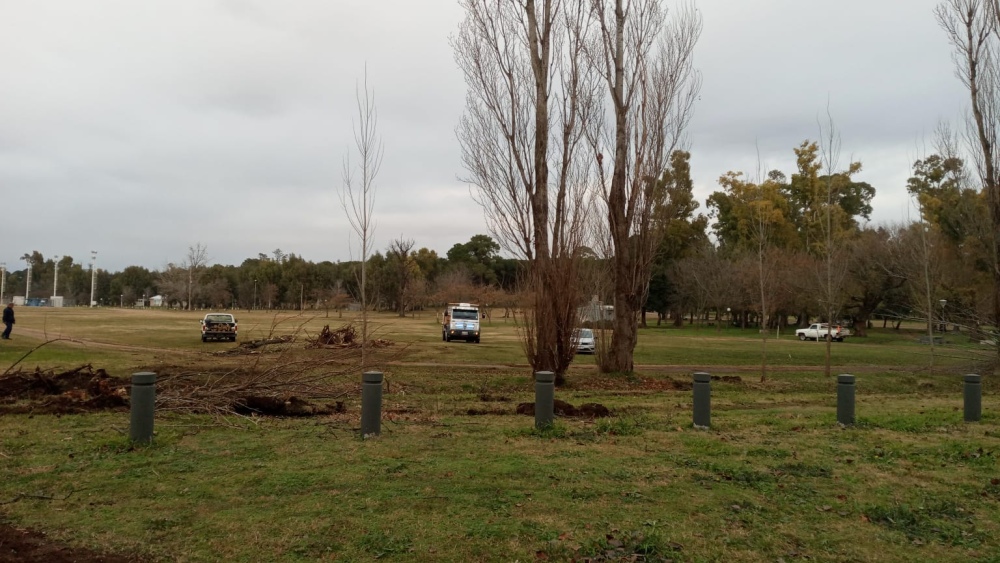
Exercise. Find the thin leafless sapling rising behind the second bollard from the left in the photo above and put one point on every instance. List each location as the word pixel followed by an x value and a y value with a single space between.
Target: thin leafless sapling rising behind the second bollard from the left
pixel 357 194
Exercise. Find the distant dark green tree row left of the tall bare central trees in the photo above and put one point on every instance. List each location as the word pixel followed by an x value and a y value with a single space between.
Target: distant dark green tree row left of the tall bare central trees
pixel 399 279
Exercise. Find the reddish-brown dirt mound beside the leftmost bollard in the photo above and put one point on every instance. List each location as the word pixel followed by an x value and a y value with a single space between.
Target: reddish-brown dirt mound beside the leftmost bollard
pixel 75 391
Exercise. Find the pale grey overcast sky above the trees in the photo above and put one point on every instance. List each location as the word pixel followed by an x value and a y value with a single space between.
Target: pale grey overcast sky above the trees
pixel 138 129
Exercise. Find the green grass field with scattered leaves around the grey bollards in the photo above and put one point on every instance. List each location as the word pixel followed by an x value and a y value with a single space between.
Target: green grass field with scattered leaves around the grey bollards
pixel 456 476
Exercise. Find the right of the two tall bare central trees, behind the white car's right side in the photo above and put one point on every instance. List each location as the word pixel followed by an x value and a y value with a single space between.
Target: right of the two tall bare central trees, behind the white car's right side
pixel 644 60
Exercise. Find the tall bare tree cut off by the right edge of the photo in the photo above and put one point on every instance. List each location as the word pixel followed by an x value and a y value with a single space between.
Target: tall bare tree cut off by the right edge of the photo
pixel 973 29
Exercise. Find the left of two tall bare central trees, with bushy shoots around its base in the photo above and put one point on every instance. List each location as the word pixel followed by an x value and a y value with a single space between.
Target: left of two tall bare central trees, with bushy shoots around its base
pixel 529 97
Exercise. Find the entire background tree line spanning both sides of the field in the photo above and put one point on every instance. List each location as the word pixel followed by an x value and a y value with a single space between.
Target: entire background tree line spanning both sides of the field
pixel 937 268
